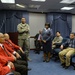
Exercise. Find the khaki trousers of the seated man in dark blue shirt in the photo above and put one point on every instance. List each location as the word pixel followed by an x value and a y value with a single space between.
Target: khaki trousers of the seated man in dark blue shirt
pixel 68 52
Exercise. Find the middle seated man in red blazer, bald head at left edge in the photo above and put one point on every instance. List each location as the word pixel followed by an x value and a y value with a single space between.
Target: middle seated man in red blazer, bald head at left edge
pixel 19 65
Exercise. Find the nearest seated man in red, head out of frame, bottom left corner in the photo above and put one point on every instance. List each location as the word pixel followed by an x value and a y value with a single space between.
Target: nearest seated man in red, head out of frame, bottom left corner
pixel 7 67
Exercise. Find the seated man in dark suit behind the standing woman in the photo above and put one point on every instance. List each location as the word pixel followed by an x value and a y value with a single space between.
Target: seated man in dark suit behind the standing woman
pixel 38 42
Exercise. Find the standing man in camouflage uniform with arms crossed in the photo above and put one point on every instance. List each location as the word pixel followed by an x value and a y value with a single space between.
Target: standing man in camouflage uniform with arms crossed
pixel 24 36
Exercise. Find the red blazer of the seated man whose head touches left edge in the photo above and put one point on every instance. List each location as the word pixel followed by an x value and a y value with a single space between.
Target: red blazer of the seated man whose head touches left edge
pixel 4 54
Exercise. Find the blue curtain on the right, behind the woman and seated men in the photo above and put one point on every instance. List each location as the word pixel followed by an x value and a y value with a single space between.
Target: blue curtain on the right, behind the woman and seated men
pixel 60 22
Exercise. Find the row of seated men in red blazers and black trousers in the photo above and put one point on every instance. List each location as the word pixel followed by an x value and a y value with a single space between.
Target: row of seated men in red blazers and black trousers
pixel 12 57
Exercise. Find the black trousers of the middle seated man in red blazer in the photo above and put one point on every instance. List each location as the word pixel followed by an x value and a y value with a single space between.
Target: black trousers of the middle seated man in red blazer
pixel 20 67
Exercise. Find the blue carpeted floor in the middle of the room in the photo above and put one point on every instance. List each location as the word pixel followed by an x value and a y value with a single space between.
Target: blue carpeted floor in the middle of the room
pixel 42 68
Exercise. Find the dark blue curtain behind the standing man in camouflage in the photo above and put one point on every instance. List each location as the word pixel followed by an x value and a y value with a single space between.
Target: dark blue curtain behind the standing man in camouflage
pixel 10 19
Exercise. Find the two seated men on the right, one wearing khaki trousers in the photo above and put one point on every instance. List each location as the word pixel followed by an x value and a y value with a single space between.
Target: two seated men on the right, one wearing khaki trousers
pixel 65 53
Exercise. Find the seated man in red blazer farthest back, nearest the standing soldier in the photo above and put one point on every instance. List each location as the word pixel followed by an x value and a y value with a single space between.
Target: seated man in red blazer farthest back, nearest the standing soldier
pixel 14 48
